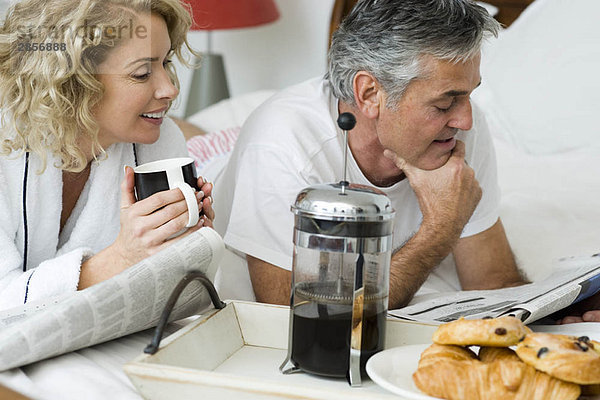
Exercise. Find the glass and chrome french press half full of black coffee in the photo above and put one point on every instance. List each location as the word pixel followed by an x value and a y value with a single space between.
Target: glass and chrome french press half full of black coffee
pixel 340 277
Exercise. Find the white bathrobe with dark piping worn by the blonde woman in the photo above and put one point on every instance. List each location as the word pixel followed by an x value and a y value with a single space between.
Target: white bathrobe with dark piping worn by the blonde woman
pixel 54 260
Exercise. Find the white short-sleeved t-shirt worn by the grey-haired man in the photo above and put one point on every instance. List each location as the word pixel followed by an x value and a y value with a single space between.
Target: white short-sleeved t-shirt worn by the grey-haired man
pixel 292 141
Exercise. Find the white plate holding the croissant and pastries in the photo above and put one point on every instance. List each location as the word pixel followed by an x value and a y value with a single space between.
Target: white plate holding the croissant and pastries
pixel 392 369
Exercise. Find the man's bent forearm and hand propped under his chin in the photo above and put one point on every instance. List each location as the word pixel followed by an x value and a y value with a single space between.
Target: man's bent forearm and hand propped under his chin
pixel 447 198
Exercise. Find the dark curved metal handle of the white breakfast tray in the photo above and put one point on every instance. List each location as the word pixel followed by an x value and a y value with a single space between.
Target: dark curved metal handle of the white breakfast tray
pixel 164 318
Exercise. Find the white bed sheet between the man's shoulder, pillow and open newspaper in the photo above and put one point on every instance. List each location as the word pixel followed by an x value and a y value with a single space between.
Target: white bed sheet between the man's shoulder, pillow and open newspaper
pixel 549 205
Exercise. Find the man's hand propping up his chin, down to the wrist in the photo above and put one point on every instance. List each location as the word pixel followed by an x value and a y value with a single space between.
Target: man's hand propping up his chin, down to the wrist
pixel 448 195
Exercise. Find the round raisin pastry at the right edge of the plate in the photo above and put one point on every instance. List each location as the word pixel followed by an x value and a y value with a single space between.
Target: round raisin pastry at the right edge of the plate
pixel 570 358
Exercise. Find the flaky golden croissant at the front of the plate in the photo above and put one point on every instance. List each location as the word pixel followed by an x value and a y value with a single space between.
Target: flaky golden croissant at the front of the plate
pixel 450 373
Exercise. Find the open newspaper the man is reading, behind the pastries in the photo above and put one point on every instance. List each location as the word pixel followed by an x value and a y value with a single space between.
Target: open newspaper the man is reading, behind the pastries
pixel 574 279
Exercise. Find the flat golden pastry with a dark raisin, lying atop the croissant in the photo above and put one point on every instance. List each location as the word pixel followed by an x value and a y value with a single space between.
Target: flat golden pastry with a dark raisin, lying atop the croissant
pixel 500 332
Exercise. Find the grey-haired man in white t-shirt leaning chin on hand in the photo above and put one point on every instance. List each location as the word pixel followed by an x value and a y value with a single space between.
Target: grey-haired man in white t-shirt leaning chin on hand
pixel 405 69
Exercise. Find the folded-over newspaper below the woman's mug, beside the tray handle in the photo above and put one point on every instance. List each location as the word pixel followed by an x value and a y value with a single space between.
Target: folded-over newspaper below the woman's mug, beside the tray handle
pixel 129 302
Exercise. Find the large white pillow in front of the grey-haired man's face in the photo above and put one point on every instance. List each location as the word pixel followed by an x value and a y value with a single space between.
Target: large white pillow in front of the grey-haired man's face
pixel 541 78
